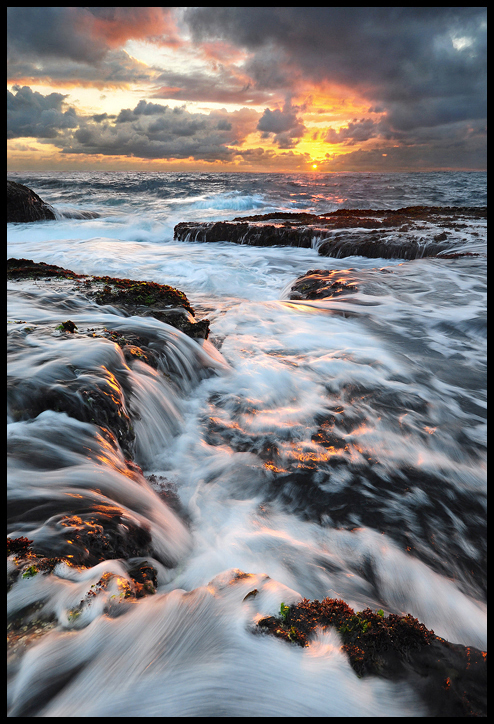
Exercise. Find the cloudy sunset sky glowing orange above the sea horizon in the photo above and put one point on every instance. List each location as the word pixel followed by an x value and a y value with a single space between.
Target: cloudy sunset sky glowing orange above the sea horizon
pixel 272 89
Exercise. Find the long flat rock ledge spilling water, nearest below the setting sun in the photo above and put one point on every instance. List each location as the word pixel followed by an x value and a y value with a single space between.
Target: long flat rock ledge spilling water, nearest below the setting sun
pixel 407 233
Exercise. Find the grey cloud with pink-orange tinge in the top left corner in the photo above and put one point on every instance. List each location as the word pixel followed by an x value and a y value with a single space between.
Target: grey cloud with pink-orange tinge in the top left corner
pixel 87 40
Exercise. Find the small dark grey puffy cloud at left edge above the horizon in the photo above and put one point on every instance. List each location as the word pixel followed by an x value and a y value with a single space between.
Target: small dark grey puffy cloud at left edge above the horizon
pixel 29 113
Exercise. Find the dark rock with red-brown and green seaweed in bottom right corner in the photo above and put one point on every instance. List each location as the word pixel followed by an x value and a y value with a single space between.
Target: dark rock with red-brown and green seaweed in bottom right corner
pixel 450 679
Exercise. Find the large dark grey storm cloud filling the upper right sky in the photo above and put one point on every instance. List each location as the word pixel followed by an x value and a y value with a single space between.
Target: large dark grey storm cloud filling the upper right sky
pixel 420 65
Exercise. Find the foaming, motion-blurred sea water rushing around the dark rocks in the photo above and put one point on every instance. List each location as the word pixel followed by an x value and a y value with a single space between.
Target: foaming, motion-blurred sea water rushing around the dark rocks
pixel 332 448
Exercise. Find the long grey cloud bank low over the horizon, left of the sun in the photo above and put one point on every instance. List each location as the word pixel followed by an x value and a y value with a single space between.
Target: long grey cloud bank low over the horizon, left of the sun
pixel 148 131
